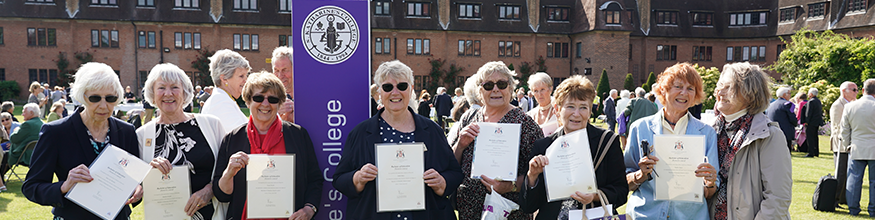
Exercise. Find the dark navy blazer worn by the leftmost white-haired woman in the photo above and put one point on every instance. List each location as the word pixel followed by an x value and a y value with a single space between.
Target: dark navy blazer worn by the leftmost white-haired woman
pixel 63 145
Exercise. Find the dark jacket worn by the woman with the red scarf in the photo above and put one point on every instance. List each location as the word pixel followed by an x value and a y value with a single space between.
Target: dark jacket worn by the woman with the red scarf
pixel 308 177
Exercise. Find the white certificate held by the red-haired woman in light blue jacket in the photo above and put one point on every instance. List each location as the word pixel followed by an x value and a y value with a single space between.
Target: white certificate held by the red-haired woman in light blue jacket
pixel 679 155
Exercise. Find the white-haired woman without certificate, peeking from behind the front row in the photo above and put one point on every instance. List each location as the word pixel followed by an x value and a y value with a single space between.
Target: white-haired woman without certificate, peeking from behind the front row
pixel 541 85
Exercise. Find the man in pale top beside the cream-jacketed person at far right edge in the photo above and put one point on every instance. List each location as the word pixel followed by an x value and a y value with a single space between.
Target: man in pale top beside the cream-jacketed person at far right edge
pixel 840 151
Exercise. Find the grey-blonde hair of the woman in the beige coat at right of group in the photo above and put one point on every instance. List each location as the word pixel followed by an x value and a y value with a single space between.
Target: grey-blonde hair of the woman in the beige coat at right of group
pixel 750 84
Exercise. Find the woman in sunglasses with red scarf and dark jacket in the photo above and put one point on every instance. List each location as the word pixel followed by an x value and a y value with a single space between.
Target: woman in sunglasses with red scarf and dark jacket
pixel 265 133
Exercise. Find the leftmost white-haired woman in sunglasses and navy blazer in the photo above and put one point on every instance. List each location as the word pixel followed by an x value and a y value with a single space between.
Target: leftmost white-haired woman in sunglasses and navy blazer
pixel 67 146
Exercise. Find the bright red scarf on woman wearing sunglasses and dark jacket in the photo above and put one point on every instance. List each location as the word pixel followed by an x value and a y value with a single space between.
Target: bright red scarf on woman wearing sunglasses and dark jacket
pixel 271 143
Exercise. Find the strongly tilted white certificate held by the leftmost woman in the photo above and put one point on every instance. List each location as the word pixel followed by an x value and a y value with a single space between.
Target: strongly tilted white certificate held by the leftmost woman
pixel 116 175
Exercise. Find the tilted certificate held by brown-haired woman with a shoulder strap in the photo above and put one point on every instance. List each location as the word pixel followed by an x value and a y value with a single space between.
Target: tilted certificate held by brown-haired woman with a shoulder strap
pixel 570 167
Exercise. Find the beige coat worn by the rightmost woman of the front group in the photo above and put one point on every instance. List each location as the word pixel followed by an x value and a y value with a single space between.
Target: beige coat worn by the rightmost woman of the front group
pixel 760 177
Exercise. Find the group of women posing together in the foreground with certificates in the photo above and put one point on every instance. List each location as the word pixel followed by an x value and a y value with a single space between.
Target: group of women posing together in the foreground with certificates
pixel 739 183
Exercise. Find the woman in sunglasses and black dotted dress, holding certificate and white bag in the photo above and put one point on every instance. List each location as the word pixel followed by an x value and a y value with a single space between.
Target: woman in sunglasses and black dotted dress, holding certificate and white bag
pixel 495 83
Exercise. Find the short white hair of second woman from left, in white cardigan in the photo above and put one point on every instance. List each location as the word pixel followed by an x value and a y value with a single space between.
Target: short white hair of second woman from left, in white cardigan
pixel 171 74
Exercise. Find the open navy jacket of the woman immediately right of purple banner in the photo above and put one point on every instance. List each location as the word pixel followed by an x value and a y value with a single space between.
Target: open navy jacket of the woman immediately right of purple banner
pixel 359 150
